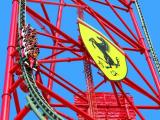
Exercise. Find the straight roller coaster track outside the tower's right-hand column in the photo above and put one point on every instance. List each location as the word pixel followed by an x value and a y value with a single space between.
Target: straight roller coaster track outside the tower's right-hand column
pixel 149 41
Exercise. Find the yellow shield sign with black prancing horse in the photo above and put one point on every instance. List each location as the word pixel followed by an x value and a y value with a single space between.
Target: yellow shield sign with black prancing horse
pixel 109 58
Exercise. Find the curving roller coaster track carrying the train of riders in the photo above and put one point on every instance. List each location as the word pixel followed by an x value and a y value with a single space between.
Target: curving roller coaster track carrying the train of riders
pixel 35 100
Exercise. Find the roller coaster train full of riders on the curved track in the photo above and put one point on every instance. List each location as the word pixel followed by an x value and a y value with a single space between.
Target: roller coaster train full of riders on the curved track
pixel 29 46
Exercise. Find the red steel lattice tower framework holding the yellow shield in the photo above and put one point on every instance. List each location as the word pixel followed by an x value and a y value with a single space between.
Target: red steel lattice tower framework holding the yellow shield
pixel 89 104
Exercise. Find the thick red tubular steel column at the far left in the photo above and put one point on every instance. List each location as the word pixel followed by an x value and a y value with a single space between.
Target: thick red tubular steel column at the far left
pixel 5 110
